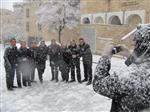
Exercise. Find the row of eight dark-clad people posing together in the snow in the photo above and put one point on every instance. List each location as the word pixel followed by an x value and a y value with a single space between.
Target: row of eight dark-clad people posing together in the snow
pixel 23 61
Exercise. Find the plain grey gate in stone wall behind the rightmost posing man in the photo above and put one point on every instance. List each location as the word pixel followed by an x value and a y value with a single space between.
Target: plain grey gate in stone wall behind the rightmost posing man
pixel 89 36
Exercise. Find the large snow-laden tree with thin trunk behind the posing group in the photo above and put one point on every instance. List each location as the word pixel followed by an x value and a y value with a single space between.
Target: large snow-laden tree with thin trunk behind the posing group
pixel 58 14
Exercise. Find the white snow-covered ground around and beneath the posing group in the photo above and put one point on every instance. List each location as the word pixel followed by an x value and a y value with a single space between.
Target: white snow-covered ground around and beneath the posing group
pixel 54 97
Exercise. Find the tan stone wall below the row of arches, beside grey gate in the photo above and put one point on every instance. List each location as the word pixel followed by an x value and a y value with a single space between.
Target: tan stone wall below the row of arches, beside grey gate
pixel 106 34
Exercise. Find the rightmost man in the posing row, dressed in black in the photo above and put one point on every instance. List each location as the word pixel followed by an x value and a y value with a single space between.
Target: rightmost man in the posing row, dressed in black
pixel 86 54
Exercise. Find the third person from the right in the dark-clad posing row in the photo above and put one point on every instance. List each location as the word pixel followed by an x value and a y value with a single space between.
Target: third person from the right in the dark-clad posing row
pixel 64 65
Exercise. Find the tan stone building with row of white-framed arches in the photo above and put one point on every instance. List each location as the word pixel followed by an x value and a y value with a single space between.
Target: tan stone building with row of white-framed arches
pixel 107 21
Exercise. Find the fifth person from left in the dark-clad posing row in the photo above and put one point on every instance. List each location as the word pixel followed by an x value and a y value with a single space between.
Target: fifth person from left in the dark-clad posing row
pixel 54 52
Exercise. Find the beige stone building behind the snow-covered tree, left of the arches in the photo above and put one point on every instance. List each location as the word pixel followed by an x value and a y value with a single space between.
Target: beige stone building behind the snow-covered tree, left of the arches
pixel 34 31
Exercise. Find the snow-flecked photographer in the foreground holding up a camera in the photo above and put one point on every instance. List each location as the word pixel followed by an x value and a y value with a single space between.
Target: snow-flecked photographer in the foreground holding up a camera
pixel 128 87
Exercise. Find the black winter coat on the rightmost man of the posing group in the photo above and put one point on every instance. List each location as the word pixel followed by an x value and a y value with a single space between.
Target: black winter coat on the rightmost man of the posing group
pixel 86 53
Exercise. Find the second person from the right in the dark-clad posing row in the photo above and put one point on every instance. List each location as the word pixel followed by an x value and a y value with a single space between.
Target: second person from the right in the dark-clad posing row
pixel 75 61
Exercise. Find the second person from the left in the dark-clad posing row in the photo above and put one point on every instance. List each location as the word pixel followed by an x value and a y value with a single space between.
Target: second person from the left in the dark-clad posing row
pixel 24 59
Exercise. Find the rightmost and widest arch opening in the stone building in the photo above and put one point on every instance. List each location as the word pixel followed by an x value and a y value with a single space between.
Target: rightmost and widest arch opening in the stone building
pixel 134 19
